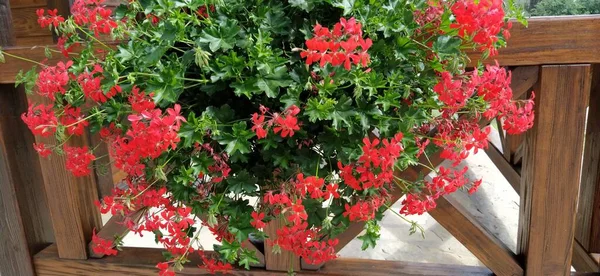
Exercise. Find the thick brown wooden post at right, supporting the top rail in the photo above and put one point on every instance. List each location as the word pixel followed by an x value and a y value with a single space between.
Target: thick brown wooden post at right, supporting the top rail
pixel 548 192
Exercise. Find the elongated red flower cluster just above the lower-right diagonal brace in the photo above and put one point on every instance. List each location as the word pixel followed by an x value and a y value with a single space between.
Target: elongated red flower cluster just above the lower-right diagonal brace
pixel 445 182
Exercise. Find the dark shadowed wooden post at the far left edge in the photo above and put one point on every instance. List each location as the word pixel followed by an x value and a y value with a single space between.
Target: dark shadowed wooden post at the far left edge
pixel 25 226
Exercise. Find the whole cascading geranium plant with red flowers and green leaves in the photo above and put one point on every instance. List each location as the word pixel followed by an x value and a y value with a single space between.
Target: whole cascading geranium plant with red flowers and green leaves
pixel 245 112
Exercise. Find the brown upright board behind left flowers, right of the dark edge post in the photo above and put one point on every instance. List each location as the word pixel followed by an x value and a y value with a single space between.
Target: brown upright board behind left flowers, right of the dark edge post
pixel 70 199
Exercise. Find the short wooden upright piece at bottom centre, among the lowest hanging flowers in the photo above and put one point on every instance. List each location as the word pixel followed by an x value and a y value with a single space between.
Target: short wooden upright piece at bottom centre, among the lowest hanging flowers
pixel 283 261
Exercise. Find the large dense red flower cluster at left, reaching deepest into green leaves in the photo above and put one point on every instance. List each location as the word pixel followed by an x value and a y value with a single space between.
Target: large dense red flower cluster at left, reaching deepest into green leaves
pixel 151 133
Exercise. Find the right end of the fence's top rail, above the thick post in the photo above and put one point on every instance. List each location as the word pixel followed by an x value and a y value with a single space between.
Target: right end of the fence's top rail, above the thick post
pixel 551 40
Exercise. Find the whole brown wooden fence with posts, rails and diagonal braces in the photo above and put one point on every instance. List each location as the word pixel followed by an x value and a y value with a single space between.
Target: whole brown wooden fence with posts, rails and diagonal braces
pixel 47 216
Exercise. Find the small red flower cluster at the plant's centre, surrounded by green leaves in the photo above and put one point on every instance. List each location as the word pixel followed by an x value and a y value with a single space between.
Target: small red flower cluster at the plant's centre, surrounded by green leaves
pixel 285 123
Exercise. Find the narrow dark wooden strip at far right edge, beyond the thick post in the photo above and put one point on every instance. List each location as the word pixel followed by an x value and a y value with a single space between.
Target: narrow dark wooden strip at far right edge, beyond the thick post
pixel 588 213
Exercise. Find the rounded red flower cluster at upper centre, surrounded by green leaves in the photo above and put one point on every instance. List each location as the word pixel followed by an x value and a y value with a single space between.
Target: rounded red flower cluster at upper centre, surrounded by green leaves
pixel 340 46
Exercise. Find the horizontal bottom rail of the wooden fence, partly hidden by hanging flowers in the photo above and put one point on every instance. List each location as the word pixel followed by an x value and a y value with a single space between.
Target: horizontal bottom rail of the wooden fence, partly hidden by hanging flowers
pixel 142 261
